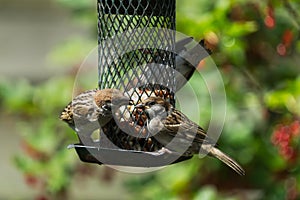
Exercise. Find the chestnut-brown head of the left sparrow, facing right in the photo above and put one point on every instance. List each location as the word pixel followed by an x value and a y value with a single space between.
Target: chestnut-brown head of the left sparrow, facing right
pixel 106 99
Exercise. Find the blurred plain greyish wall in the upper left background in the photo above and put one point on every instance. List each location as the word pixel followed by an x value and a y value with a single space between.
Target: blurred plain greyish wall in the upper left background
pixel 29 31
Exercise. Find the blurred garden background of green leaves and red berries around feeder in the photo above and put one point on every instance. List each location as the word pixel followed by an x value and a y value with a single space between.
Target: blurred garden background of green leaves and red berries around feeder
pixel 256 48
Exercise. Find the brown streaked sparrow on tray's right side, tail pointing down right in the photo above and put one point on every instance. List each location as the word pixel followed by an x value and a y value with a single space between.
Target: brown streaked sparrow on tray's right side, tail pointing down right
pixel 178 133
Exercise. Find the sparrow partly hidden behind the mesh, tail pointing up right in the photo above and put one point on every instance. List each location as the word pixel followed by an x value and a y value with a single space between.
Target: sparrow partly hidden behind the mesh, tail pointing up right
pixel 186 61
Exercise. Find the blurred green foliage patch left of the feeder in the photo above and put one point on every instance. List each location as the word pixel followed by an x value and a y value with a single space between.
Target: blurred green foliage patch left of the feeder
pixel 45 155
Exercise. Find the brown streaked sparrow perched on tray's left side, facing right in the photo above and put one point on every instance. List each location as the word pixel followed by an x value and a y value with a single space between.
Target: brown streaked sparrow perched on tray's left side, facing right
pixel 92 109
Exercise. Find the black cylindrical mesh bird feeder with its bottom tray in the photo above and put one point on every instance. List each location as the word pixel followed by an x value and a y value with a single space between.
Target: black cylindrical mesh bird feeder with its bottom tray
pixel 136 48
